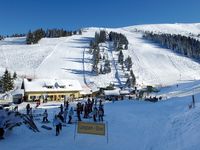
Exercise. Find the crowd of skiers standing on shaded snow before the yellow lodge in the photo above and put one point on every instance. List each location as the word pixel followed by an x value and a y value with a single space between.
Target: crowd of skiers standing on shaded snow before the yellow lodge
pixel 90 109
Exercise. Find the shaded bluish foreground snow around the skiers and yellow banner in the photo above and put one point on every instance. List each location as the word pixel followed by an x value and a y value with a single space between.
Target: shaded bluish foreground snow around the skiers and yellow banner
pixel 131 125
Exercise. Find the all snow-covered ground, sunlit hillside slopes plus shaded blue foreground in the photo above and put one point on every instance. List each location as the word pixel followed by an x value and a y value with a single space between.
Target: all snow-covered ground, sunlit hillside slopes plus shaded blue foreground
pixel 139 125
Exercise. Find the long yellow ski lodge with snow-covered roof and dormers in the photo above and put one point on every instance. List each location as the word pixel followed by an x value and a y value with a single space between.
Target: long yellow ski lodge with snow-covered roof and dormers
pixel 51 89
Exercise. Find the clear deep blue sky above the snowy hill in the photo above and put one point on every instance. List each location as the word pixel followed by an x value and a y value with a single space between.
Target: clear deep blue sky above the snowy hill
pixel 18 16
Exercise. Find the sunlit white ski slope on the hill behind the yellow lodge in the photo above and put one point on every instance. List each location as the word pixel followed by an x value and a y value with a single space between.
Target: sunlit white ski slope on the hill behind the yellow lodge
pixel 68 57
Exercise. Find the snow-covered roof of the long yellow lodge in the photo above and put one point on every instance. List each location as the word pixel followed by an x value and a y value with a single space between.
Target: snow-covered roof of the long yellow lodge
pixel 51 85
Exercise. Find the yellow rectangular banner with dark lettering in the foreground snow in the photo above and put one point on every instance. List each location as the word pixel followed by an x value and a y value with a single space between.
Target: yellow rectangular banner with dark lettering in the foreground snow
pixel 91 128
